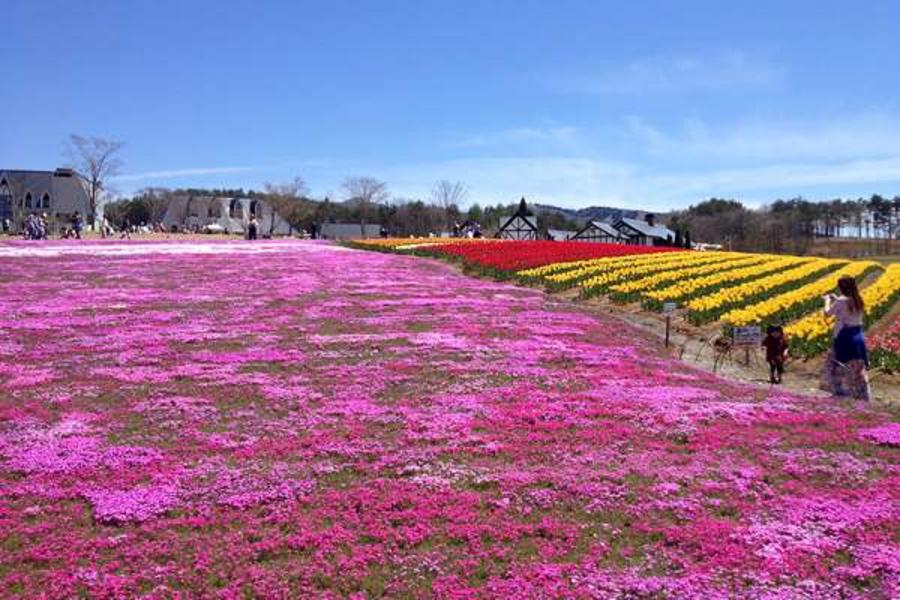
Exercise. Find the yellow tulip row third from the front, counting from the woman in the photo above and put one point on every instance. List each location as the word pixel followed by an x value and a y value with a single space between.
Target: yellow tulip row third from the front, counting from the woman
pixel 709 307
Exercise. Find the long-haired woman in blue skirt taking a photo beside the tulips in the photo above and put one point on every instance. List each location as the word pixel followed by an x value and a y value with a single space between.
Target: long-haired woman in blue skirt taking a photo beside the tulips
pixel 847 363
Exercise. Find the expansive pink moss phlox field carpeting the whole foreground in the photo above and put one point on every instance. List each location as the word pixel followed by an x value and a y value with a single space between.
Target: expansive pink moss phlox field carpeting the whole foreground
pixel 294 419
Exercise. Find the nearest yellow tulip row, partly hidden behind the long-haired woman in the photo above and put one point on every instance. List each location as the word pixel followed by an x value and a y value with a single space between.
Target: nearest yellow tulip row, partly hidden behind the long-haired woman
pixel 812 334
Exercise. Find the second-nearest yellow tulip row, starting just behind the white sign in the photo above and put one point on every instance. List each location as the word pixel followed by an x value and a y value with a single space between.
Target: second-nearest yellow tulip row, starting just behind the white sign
pixel 795 302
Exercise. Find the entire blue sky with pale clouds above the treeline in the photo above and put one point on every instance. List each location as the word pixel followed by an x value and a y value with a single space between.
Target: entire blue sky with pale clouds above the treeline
pixel 649 105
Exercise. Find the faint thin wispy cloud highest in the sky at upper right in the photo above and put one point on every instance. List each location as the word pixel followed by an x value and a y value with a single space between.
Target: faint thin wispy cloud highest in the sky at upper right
pixel 715 71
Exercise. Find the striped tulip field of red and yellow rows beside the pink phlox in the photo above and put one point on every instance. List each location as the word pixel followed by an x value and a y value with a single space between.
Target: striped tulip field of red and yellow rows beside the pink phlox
pixel 731 288
